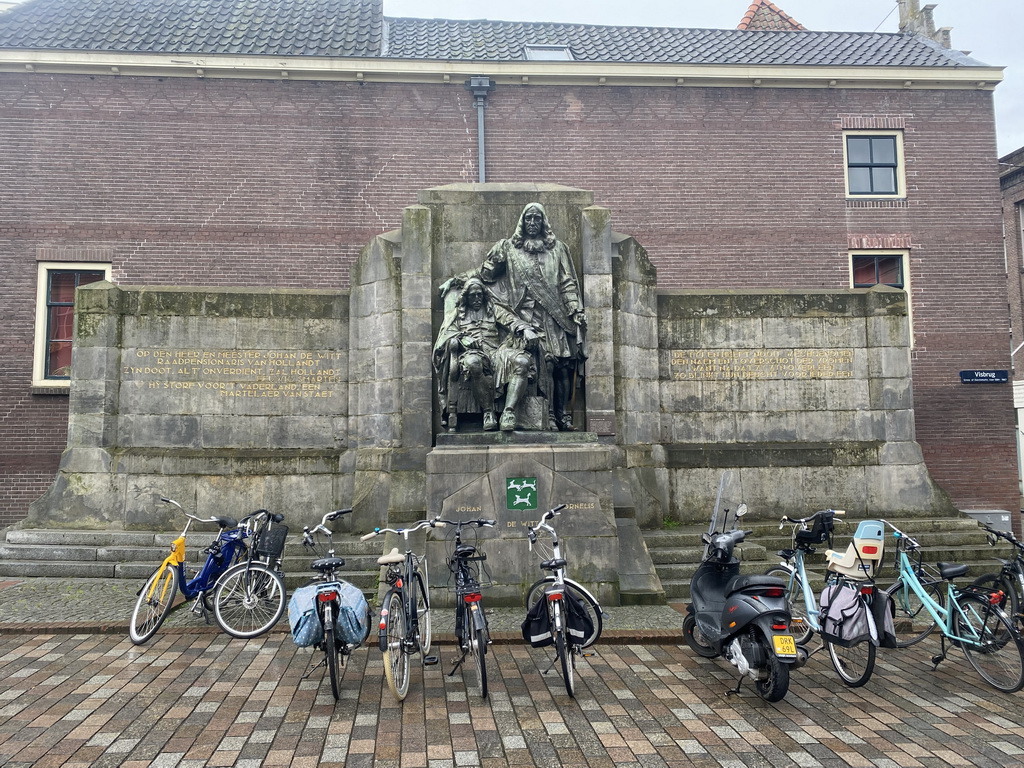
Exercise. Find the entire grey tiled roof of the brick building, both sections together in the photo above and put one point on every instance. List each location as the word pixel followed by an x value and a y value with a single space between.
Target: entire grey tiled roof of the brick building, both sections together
pixel 358 28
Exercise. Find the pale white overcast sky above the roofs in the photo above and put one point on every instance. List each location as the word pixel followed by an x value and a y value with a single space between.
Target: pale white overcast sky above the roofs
pixel 992 30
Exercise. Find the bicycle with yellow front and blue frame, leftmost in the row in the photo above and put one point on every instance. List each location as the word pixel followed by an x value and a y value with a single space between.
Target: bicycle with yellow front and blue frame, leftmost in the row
pixel 156 600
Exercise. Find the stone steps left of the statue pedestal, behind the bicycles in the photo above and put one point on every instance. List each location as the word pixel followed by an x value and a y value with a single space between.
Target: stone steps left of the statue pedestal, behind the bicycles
pixel 134 556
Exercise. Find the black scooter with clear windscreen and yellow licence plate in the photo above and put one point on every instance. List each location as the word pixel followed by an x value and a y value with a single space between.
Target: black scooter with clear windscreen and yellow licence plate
pixel 744 618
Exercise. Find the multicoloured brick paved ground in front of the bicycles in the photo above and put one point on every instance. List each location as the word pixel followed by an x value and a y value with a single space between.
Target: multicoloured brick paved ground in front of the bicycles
pixel 193 701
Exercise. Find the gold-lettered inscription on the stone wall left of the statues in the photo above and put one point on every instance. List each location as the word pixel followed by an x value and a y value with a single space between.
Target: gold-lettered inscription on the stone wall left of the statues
pixel 239 373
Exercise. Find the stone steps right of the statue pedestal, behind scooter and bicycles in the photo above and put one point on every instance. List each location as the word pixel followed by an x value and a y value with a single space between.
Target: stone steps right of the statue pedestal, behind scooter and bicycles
pixel 677 551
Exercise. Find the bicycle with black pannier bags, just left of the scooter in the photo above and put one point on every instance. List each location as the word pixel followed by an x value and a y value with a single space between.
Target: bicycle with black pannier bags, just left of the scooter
pixel 551 591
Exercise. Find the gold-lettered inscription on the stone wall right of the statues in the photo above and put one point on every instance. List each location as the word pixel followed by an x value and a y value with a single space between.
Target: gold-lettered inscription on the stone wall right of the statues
pixel 719 365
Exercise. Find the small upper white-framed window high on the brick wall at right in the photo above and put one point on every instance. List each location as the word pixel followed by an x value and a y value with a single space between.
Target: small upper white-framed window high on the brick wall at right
pixel 875 165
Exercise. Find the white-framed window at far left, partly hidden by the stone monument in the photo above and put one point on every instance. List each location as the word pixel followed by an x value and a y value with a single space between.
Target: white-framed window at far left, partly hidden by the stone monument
pixel 57 283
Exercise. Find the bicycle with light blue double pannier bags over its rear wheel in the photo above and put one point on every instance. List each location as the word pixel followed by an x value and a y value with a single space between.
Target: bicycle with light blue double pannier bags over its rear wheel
pixel 329 614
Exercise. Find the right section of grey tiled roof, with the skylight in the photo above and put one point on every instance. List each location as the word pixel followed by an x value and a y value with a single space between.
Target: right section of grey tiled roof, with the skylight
pixel 418 38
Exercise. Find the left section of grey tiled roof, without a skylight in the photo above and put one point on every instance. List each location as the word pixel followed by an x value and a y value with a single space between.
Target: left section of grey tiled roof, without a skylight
pixel 282 28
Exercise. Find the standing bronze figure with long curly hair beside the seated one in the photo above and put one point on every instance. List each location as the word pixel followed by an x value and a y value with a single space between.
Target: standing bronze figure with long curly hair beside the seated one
pixel 532 275
